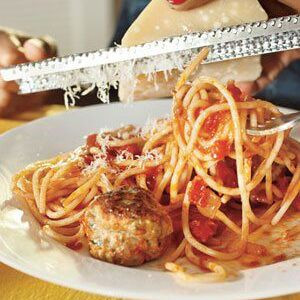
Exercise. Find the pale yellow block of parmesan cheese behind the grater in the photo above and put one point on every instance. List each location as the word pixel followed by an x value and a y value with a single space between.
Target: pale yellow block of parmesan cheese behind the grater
pixel 159 20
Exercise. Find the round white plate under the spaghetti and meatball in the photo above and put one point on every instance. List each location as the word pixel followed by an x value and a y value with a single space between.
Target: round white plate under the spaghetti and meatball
pixel 23 248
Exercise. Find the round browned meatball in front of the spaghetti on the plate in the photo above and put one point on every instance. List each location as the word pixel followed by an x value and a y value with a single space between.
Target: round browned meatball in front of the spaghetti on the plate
pixel 127 227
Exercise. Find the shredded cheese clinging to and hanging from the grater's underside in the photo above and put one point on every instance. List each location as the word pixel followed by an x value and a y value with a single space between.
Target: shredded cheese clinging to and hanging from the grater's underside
pixel 81 82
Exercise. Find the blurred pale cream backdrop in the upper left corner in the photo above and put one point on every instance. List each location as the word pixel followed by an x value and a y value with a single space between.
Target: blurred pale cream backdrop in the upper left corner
pixel 76 26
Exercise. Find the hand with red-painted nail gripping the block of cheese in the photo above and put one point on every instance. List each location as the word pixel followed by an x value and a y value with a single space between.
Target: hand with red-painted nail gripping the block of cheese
pixel 272 64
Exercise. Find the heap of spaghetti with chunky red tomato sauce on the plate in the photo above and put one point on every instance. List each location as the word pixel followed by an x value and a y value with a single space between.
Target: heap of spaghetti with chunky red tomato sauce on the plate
pixel 200 164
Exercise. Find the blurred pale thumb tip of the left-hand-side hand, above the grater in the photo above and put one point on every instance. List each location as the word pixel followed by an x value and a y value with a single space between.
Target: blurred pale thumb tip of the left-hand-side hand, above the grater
pixel 36 49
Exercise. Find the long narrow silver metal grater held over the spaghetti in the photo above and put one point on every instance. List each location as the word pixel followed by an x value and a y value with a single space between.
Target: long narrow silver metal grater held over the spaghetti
pixel 107 67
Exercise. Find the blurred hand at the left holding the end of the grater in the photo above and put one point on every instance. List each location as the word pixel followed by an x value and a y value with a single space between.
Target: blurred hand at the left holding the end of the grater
pixel 14 50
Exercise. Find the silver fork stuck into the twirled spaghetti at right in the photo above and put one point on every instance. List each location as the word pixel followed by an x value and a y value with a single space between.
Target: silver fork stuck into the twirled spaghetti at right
pixel 275 125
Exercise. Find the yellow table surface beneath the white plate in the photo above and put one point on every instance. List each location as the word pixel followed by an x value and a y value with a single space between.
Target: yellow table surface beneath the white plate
pixel 15 285
